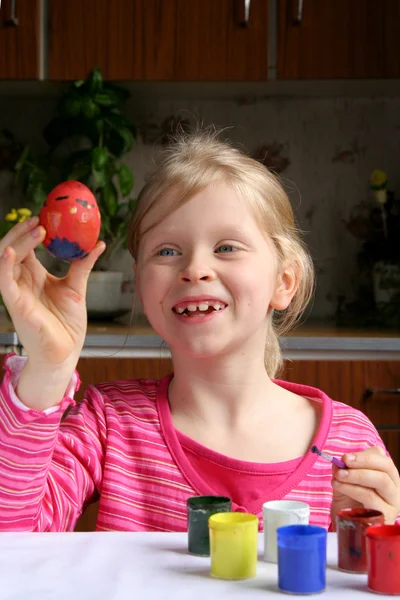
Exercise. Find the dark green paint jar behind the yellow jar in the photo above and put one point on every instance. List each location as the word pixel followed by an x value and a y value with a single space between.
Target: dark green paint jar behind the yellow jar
pixel 199 510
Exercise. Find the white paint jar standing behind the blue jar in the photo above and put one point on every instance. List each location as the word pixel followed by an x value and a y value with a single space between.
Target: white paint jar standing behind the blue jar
pixel 278 513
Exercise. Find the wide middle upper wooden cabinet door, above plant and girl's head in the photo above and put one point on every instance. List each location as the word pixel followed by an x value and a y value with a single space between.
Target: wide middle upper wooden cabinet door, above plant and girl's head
pixel 174 40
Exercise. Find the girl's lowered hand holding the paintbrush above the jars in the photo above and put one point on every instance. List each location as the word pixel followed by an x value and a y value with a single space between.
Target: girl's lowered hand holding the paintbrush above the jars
pixel 371 480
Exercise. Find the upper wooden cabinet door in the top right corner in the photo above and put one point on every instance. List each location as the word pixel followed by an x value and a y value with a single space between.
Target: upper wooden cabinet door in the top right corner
pixel 338 39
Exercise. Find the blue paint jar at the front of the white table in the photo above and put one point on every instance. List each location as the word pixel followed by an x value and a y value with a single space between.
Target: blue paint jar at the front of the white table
pixel 301 559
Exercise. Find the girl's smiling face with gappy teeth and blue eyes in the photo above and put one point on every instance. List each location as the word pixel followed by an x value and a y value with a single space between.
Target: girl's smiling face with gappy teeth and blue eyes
pixel 207 276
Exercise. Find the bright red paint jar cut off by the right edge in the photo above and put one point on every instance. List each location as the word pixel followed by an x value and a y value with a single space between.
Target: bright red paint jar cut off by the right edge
pixel 383 559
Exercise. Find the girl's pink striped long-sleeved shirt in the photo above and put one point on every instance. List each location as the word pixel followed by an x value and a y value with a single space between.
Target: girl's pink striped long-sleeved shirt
pixel 120 444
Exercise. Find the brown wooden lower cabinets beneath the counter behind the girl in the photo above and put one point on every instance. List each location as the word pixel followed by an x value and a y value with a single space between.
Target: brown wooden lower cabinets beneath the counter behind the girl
pixel 342 380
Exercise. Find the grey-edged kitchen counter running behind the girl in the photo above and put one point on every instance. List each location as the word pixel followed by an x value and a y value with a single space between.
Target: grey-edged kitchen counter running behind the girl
pixel 311 341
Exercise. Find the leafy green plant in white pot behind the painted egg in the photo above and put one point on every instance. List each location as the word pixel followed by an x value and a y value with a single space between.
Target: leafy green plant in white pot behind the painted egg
pixel 87 140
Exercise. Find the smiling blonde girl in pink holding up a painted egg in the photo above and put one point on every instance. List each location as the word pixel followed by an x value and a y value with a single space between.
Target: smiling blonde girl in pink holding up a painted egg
pixel 220 270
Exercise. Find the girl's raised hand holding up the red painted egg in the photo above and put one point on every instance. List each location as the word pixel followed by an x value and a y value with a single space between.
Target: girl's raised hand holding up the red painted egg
pixel 48 313
